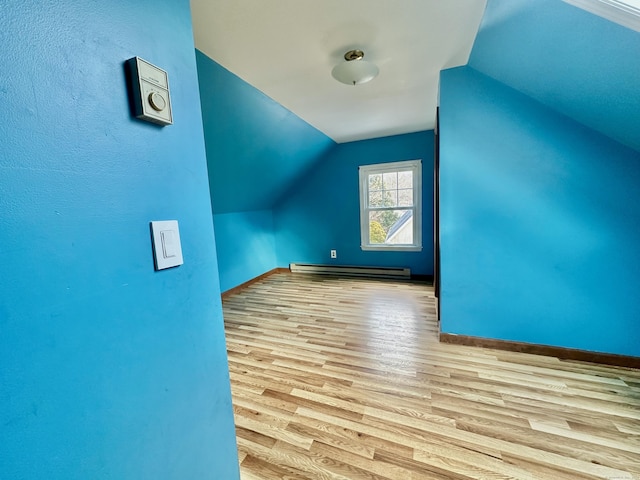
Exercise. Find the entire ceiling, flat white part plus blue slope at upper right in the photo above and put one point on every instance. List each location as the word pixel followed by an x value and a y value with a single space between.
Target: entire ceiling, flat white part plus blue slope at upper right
pixel 574 61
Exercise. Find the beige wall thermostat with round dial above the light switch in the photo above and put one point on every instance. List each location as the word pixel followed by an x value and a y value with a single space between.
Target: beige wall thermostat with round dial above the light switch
pixel 150 91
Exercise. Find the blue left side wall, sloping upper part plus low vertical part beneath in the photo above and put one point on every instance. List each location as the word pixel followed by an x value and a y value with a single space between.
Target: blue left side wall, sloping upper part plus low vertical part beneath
pixel 255 149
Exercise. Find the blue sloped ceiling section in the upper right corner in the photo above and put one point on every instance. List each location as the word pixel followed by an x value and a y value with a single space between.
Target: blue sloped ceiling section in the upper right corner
pixel 577 63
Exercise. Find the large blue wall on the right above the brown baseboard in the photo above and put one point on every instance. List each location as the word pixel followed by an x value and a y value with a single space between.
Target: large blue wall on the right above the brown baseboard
pixel 540 222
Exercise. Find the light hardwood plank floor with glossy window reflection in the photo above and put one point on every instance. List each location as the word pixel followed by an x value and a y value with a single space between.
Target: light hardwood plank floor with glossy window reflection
pixel 336 378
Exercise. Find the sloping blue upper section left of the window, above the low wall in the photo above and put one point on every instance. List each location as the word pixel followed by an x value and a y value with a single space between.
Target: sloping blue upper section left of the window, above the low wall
pixel 255 146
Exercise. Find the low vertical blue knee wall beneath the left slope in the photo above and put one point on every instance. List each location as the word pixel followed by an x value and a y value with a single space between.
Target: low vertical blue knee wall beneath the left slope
pixel 246 246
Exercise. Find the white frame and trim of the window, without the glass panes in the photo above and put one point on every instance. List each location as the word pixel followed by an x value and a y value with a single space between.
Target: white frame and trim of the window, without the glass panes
pixel 414 166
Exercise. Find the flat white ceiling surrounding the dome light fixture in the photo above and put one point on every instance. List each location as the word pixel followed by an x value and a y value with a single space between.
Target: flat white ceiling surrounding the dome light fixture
pixel 287 48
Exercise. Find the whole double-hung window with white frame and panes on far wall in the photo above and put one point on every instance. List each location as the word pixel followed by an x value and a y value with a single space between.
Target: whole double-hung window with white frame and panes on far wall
pixel 391 206
